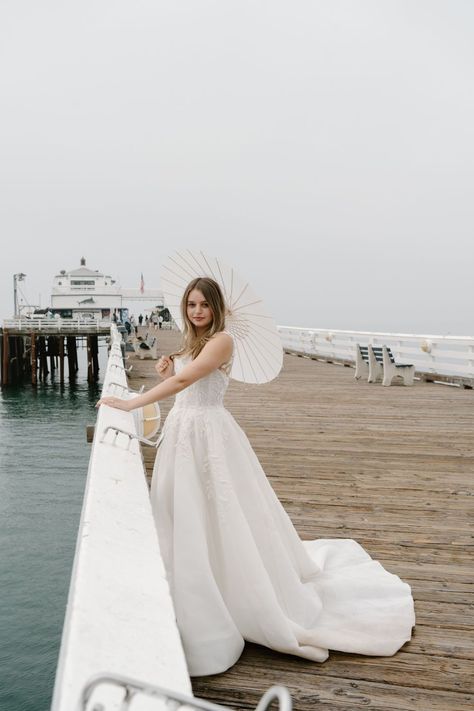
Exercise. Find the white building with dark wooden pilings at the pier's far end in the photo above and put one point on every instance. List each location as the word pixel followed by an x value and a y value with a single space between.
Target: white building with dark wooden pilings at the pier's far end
pixel 84 302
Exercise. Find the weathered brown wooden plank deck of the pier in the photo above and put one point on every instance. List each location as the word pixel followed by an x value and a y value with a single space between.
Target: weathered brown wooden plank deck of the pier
pixel 392 468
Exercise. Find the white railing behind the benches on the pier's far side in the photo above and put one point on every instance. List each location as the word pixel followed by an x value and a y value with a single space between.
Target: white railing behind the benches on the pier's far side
pixel 451 358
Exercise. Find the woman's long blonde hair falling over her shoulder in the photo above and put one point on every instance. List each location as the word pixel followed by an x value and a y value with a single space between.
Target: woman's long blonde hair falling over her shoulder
pixel 192 343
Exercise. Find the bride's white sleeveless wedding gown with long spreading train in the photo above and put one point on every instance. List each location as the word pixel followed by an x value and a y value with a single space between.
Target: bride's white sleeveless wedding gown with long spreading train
pixel 236 566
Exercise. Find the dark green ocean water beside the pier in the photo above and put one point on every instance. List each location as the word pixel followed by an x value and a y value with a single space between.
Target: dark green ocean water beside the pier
pixel 43 467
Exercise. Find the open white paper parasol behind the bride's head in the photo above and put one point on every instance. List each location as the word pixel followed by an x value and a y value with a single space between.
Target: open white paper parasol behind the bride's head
pixel 258 353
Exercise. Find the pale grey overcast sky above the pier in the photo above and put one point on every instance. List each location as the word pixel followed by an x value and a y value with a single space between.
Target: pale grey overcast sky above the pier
pixel 324 148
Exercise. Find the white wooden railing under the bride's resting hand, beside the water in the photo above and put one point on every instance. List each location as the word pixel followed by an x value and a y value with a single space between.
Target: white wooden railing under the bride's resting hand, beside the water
pixel 119 618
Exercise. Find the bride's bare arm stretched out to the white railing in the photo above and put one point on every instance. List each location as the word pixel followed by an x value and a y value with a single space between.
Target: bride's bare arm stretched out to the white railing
pixel 214 354
